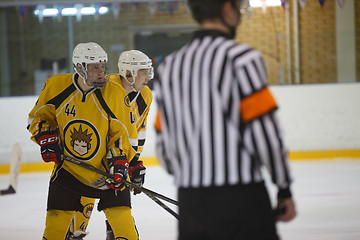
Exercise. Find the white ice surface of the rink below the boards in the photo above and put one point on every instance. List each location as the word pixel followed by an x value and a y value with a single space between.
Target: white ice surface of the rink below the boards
pixel 327 194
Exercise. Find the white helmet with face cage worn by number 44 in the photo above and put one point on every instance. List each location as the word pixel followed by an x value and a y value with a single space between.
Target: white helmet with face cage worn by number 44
pixel 89 53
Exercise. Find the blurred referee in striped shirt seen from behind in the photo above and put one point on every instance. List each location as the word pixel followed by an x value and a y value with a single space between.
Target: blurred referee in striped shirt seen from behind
pixel 216 128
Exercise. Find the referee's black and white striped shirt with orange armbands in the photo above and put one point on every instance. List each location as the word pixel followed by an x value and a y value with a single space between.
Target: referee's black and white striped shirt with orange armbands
pixel 216 124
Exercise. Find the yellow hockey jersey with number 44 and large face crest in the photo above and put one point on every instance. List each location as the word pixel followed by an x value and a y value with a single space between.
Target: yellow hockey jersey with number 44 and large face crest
pixel 91 124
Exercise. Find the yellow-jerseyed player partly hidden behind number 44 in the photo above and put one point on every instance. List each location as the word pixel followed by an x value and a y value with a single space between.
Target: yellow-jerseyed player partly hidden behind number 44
pixel 135 71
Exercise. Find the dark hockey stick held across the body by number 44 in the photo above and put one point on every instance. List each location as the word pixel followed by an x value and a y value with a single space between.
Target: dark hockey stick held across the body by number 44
pixel 130 184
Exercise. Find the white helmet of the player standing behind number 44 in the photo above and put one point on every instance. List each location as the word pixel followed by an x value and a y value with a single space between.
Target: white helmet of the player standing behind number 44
pixel 133 61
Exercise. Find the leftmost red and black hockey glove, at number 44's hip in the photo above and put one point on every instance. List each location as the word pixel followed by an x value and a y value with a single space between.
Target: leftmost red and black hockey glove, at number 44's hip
pixel 49 146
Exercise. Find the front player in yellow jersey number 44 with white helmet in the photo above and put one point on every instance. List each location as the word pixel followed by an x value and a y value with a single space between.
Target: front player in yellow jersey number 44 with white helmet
pixel 77 115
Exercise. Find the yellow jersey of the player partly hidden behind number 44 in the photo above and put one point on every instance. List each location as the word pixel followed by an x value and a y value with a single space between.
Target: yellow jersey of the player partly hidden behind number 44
pixel 139 102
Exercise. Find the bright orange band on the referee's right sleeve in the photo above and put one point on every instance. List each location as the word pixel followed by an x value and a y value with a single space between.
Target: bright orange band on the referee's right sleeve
pixel 257 105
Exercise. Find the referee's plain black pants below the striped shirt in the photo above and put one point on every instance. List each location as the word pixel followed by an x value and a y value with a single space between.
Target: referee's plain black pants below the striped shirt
pixel 232 212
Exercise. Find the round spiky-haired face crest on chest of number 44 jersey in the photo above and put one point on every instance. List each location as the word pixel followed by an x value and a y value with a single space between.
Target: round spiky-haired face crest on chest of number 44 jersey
pixel 81 139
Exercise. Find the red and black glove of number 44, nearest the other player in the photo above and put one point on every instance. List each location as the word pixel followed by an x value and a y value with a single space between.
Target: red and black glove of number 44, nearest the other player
pixel 118 166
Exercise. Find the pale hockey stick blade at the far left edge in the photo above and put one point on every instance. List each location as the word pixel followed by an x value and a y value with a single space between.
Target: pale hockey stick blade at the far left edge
pixel 14 170
